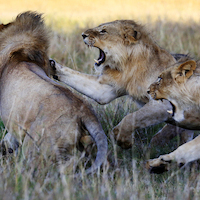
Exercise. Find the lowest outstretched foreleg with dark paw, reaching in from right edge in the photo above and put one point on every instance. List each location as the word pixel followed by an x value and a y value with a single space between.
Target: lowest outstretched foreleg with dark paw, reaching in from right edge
pixel 184 154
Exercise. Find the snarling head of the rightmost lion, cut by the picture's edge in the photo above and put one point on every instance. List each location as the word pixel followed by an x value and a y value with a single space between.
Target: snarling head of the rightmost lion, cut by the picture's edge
pixel 176 85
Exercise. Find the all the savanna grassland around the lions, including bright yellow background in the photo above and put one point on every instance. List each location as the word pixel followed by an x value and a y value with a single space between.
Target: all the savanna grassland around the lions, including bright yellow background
pixel 175 26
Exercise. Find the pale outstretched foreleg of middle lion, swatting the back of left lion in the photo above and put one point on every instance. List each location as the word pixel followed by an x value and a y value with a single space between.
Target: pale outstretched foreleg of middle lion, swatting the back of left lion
pixel 89 85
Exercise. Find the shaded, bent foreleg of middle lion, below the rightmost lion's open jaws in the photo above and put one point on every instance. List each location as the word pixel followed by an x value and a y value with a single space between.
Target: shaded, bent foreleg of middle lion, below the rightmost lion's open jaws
pixel 152 113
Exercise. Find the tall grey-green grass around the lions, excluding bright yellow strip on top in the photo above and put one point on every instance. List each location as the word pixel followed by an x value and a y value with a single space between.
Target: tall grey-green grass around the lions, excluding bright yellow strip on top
pixel 123 176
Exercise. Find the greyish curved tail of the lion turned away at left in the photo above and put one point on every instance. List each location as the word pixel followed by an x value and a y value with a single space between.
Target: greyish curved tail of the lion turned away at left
pixel 97 133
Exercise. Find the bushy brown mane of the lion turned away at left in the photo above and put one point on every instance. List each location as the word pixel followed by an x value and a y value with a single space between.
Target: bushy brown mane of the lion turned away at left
pixel 26 38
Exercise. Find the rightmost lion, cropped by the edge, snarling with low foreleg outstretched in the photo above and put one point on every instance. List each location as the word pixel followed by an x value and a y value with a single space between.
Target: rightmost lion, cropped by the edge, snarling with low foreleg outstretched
pixel 180 85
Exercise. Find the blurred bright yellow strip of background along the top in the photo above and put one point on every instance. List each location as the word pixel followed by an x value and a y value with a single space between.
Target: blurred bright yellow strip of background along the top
pixel 66 13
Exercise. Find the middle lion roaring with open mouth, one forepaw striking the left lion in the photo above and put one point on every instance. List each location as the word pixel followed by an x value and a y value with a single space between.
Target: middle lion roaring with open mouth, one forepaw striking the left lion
pixel 129 61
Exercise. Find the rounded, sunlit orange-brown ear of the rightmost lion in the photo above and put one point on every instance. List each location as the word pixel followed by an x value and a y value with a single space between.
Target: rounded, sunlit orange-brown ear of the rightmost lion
pixel 184 71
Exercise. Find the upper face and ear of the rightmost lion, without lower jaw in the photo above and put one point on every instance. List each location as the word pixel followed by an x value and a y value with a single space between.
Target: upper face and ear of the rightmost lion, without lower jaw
pixel 171 81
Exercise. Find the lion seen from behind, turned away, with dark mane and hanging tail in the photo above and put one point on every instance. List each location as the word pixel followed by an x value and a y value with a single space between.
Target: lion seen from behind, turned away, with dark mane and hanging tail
pixel 39 114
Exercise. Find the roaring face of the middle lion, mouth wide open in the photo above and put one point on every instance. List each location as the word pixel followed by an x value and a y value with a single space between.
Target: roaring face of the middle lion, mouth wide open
pixel 113 39
